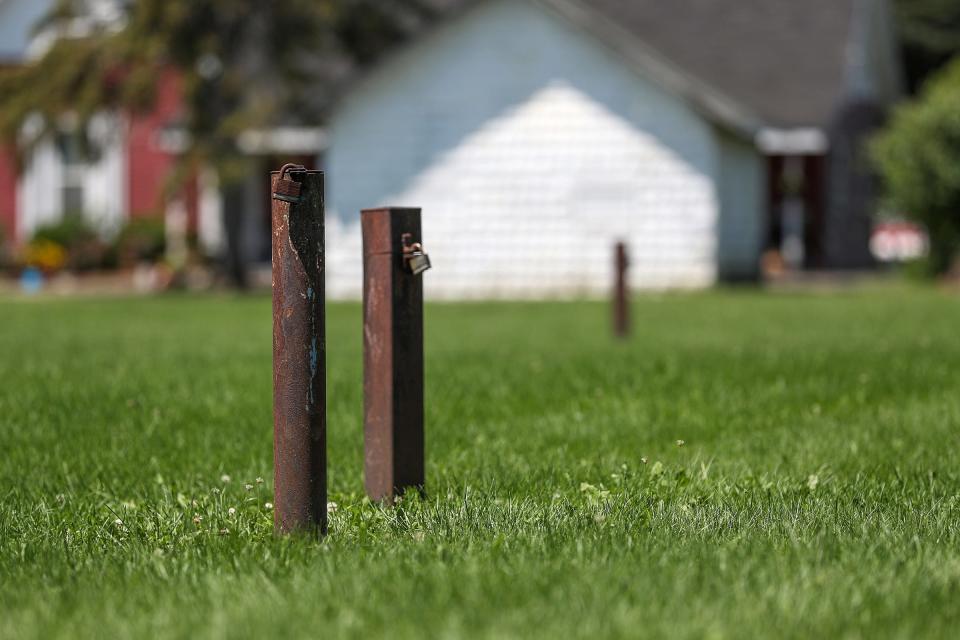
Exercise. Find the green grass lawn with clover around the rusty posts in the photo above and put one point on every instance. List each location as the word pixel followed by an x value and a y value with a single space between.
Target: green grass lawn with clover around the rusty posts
pixel 816 492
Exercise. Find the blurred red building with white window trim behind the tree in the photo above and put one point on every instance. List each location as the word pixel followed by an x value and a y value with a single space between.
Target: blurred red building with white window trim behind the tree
pixel 125 169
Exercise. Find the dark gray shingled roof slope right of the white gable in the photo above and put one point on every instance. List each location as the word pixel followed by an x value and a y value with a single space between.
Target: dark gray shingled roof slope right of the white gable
pixel 783 59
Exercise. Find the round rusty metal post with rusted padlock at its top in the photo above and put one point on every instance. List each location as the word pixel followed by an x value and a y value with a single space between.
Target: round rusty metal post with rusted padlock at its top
pixel 299 351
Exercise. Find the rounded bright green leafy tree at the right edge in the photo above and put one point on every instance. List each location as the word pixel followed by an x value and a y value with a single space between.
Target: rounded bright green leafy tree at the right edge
pixel 918 157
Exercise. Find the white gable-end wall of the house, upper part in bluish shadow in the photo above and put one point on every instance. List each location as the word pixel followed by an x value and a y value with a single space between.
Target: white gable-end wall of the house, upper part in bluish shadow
pixel 531 149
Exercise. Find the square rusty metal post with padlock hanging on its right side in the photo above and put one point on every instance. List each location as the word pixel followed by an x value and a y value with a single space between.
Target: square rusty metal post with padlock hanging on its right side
pixel 392 351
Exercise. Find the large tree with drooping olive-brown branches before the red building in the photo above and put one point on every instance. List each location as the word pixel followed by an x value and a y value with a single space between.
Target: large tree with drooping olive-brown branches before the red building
pixel 243 63
